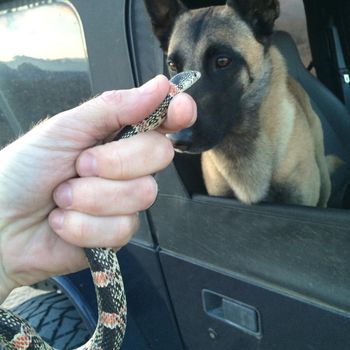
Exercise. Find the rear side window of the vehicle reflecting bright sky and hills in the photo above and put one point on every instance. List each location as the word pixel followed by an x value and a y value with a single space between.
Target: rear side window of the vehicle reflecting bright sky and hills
pixel 43 64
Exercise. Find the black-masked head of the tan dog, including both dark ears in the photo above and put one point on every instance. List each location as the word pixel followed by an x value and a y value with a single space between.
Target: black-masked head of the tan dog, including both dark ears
pixel 227 44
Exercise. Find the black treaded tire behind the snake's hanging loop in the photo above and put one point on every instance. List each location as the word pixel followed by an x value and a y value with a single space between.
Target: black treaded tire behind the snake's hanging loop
pixel 56 319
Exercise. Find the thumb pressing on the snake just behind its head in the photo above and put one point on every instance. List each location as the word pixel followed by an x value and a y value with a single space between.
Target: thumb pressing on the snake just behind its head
pixel 102 116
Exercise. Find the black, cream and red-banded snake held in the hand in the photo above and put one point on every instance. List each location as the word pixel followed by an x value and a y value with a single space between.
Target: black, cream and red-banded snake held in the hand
pixel 17 334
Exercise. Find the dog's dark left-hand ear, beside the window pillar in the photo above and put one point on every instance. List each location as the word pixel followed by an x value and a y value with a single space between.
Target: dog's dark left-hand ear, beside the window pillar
pixel 163 14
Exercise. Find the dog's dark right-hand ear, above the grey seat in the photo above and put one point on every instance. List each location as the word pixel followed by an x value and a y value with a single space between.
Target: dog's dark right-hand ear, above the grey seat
pixel 261 14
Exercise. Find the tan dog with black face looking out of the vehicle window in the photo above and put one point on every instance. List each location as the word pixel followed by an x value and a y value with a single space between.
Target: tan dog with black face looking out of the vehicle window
pixel 259 137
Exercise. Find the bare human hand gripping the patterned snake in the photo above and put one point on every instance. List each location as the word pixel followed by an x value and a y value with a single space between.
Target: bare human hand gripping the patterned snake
pixel 48 213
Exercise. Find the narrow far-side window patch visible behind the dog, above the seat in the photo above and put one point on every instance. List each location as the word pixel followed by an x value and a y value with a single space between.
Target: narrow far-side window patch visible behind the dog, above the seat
pixel 293 20
